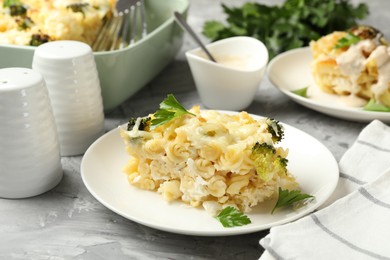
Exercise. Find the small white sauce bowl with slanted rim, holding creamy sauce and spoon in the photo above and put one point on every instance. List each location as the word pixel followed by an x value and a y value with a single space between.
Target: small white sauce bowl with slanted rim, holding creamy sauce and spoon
pixel 232 82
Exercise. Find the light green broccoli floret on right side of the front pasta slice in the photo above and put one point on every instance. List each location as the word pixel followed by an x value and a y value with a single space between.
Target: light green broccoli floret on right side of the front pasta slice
pixel 267 161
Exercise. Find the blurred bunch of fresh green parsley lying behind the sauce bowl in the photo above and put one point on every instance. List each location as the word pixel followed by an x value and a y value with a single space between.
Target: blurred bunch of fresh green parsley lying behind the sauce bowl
pixel 291 25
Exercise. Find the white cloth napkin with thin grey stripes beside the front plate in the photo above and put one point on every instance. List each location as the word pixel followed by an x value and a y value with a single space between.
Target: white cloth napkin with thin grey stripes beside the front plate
pixel 356 226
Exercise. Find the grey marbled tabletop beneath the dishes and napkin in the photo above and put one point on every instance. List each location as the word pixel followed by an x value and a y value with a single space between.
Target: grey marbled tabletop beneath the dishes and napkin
pixel 69 223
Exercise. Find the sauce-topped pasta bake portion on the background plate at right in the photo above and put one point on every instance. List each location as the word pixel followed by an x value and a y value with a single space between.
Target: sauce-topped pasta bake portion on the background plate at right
pixel 354 64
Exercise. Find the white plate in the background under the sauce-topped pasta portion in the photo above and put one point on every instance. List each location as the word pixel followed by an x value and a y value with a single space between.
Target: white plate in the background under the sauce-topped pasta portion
pixel 291 70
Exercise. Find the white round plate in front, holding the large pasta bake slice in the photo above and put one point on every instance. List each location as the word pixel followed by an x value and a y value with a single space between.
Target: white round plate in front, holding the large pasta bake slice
pixel 101 169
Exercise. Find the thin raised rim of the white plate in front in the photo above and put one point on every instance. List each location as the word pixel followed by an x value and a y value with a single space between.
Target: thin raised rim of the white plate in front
pixel 224 232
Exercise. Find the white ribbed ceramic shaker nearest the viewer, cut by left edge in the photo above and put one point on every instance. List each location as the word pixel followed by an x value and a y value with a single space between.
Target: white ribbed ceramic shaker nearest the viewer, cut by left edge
pixel 29 149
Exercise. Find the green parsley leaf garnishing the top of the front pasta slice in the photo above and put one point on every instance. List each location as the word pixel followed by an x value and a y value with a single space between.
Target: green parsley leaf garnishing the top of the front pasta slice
pixel 170 108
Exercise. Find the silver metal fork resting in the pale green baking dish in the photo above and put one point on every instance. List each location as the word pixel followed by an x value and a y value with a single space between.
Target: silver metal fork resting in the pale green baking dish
pixel 120 28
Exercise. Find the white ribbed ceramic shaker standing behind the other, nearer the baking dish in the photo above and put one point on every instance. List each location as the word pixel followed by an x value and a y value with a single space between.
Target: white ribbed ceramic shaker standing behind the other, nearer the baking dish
pixel 69 70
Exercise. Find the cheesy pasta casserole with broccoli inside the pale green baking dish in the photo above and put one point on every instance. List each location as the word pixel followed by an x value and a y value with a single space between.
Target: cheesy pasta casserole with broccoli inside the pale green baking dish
pixel 33 22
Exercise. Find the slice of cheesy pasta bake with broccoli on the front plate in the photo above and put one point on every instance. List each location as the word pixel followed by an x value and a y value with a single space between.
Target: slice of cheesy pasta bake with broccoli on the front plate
pixel 207 158
